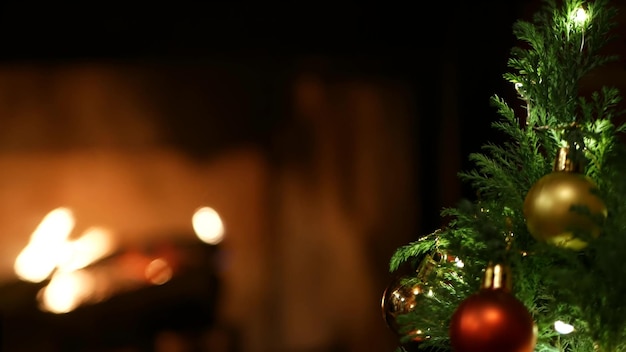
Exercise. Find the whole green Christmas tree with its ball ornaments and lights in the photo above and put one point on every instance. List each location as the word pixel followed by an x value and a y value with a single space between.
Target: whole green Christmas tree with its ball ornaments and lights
pixel 535 262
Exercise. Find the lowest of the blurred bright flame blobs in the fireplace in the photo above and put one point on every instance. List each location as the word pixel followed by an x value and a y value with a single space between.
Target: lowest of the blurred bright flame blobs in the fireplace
pixel 66 291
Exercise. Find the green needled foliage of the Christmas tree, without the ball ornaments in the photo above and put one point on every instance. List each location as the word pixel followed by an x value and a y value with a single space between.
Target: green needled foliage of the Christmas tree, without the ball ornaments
pixel 557 51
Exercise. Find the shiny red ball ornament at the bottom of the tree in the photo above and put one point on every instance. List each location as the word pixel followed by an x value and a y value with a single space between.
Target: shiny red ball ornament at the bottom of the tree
pixel 492 321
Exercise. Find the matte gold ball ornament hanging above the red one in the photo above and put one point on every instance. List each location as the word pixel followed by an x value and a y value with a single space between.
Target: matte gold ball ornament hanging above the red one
pixel 549 214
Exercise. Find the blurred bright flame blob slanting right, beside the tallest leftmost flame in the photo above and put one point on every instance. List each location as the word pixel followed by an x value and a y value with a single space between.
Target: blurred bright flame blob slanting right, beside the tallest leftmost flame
pixel 93 244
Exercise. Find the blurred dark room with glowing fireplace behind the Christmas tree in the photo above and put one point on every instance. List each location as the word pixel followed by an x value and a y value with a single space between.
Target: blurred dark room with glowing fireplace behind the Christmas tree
pixel 230 178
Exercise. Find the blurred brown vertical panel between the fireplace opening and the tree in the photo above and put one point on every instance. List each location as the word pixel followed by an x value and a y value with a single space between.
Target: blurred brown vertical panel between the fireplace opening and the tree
pixel 345 198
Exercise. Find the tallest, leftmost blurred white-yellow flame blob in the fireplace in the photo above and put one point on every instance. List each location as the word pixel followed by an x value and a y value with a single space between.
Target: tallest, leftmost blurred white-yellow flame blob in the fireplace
pixel 38 259
